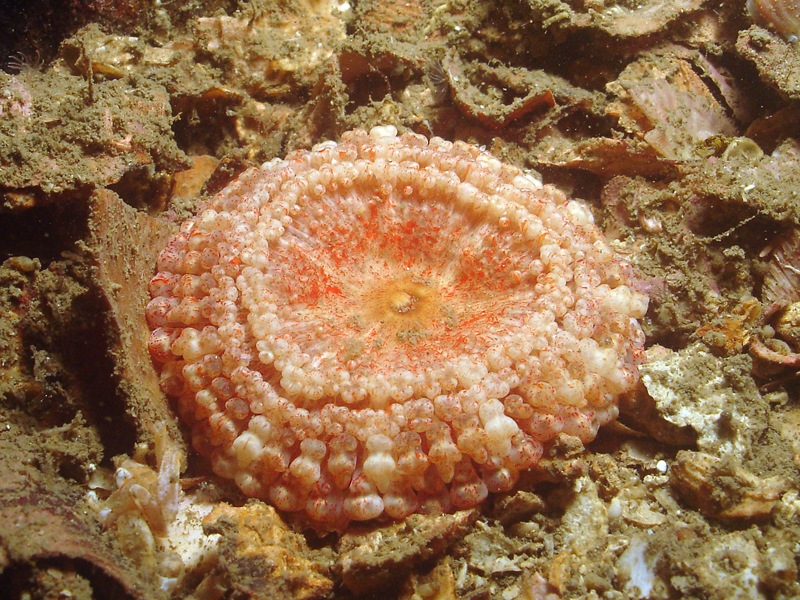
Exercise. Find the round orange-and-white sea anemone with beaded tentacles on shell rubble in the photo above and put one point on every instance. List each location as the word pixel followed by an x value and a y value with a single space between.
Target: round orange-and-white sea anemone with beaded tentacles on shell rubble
pixel 390 325
